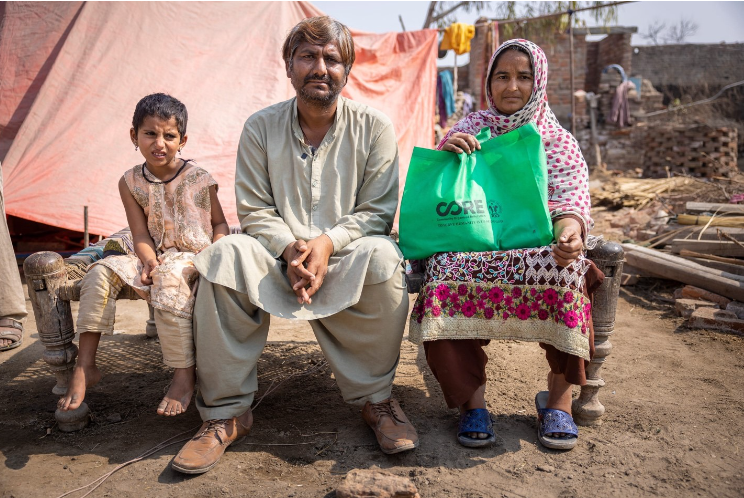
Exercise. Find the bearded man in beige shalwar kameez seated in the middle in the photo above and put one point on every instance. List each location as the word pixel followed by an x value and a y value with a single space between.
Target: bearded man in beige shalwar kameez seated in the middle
pixel 317 188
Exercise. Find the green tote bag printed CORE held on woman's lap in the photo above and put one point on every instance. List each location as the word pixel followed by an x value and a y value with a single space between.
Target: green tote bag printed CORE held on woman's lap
pixel 493 199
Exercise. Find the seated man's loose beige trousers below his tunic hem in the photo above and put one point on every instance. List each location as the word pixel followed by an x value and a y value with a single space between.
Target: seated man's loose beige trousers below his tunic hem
pixel 361 344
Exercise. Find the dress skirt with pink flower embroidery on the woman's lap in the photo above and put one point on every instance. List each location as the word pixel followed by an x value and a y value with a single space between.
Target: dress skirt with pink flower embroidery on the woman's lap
pixel 519 294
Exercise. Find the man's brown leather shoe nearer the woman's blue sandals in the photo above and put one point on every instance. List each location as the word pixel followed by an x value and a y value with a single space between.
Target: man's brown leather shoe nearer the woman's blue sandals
pixel 393 430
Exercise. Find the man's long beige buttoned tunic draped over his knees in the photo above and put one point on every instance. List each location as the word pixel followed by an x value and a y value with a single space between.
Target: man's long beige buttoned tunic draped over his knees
pixel 347 189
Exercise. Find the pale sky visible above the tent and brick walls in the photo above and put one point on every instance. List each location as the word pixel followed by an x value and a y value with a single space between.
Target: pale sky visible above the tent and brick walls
pixel 717 21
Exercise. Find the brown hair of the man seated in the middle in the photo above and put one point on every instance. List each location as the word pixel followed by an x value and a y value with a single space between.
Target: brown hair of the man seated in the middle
pixel 320 31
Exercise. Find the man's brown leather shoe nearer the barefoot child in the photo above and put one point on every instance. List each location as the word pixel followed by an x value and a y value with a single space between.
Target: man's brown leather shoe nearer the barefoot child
pixel 205 449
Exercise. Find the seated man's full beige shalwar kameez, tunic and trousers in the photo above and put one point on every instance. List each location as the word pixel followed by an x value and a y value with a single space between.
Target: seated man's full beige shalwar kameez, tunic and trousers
pixel 346 189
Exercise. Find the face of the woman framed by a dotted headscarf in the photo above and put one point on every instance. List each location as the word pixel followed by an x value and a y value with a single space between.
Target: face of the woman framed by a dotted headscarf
pixel 511 82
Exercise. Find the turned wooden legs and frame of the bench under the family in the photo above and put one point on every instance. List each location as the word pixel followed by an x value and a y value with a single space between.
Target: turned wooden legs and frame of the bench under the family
pixel 54 282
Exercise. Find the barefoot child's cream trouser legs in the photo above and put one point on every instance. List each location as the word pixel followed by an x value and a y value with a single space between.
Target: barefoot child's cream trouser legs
pixel 97 314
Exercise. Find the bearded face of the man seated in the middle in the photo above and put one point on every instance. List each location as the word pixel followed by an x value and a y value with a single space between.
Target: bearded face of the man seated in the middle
pixel 317 73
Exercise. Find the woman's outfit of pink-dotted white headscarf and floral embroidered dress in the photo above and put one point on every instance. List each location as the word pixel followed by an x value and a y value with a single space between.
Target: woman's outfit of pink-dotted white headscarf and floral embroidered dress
pixel 518 294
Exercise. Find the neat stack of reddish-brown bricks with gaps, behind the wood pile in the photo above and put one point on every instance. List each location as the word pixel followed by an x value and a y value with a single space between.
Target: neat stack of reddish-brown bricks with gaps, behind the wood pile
pixel 700 151
